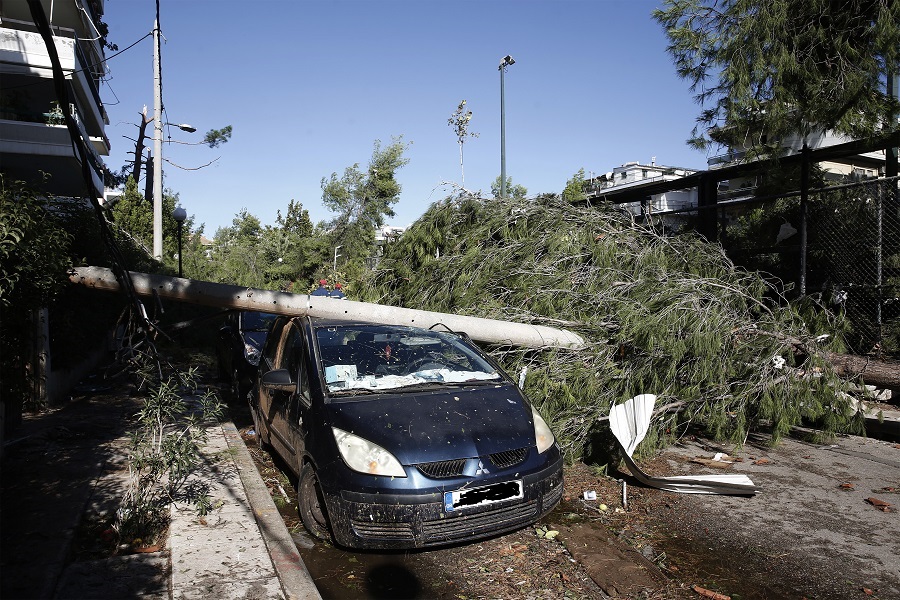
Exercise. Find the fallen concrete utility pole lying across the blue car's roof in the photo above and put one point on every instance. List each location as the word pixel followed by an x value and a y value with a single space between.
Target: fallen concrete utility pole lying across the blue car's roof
pixel 236 297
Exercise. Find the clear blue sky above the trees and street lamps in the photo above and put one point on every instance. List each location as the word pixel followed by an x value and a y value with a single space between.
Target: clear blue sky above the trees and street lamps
pixel 308 86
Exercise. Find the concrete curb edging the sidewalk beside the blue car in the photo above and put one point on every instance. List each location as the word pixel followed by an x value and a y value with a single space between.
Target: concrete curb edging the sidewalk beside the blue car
pixel 295 579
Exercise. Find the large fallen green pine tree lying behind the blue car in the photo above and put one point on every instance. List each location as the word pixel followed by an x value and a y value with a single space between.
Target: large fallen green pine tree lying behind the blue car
pixel 668 315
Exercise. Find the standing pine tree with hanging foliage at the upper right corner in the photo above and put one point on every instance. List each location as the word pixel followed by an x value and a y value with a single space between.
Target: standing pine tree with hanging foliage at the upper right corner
pixel 766 69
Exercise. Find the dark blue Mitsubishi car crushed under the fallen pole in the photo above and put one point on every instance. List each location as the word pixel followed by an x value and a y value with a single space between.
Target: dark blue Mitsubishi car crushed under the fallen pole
pixel 401 437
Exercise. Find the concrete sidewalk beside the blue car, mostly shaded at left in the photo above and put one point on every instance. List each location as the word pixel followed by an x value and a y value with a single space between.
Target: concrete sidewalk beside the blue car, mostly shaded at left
pixel 65 470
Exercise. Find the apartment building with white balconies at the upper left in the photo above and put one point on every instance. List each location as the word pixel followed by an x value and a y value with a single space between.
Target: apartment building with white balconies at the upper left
pixel 35 145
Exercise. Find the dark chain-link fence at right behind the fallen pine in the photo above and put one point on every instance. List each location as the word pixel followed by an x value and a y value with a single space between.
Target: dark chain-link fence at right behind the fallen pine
pixel 846 251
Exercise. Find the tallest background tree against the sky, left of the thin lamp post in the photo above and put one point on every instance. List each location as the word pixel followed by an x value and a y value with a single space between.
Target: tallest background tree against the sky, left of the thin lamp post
pixel 362 200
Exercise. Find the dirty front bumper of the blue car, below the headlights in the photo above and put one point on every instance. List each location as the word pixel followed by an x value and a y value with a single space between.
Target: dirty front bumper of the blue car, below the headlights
pixel 395 521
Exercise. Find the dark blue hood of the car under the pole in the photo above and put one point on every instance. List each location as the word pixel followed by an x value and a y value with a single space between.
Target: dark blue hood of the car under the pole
pixel 442 425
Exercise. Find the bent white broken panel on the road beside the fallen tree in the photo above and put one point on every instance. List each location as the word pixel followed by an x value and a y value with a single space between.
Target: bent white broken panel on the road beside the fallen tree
pixel 629 422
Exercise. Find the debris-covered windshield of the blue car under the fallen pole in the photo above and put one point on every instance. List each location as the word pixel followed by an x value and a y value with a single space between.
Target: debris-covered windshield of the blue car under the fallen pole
pixel 369 358
